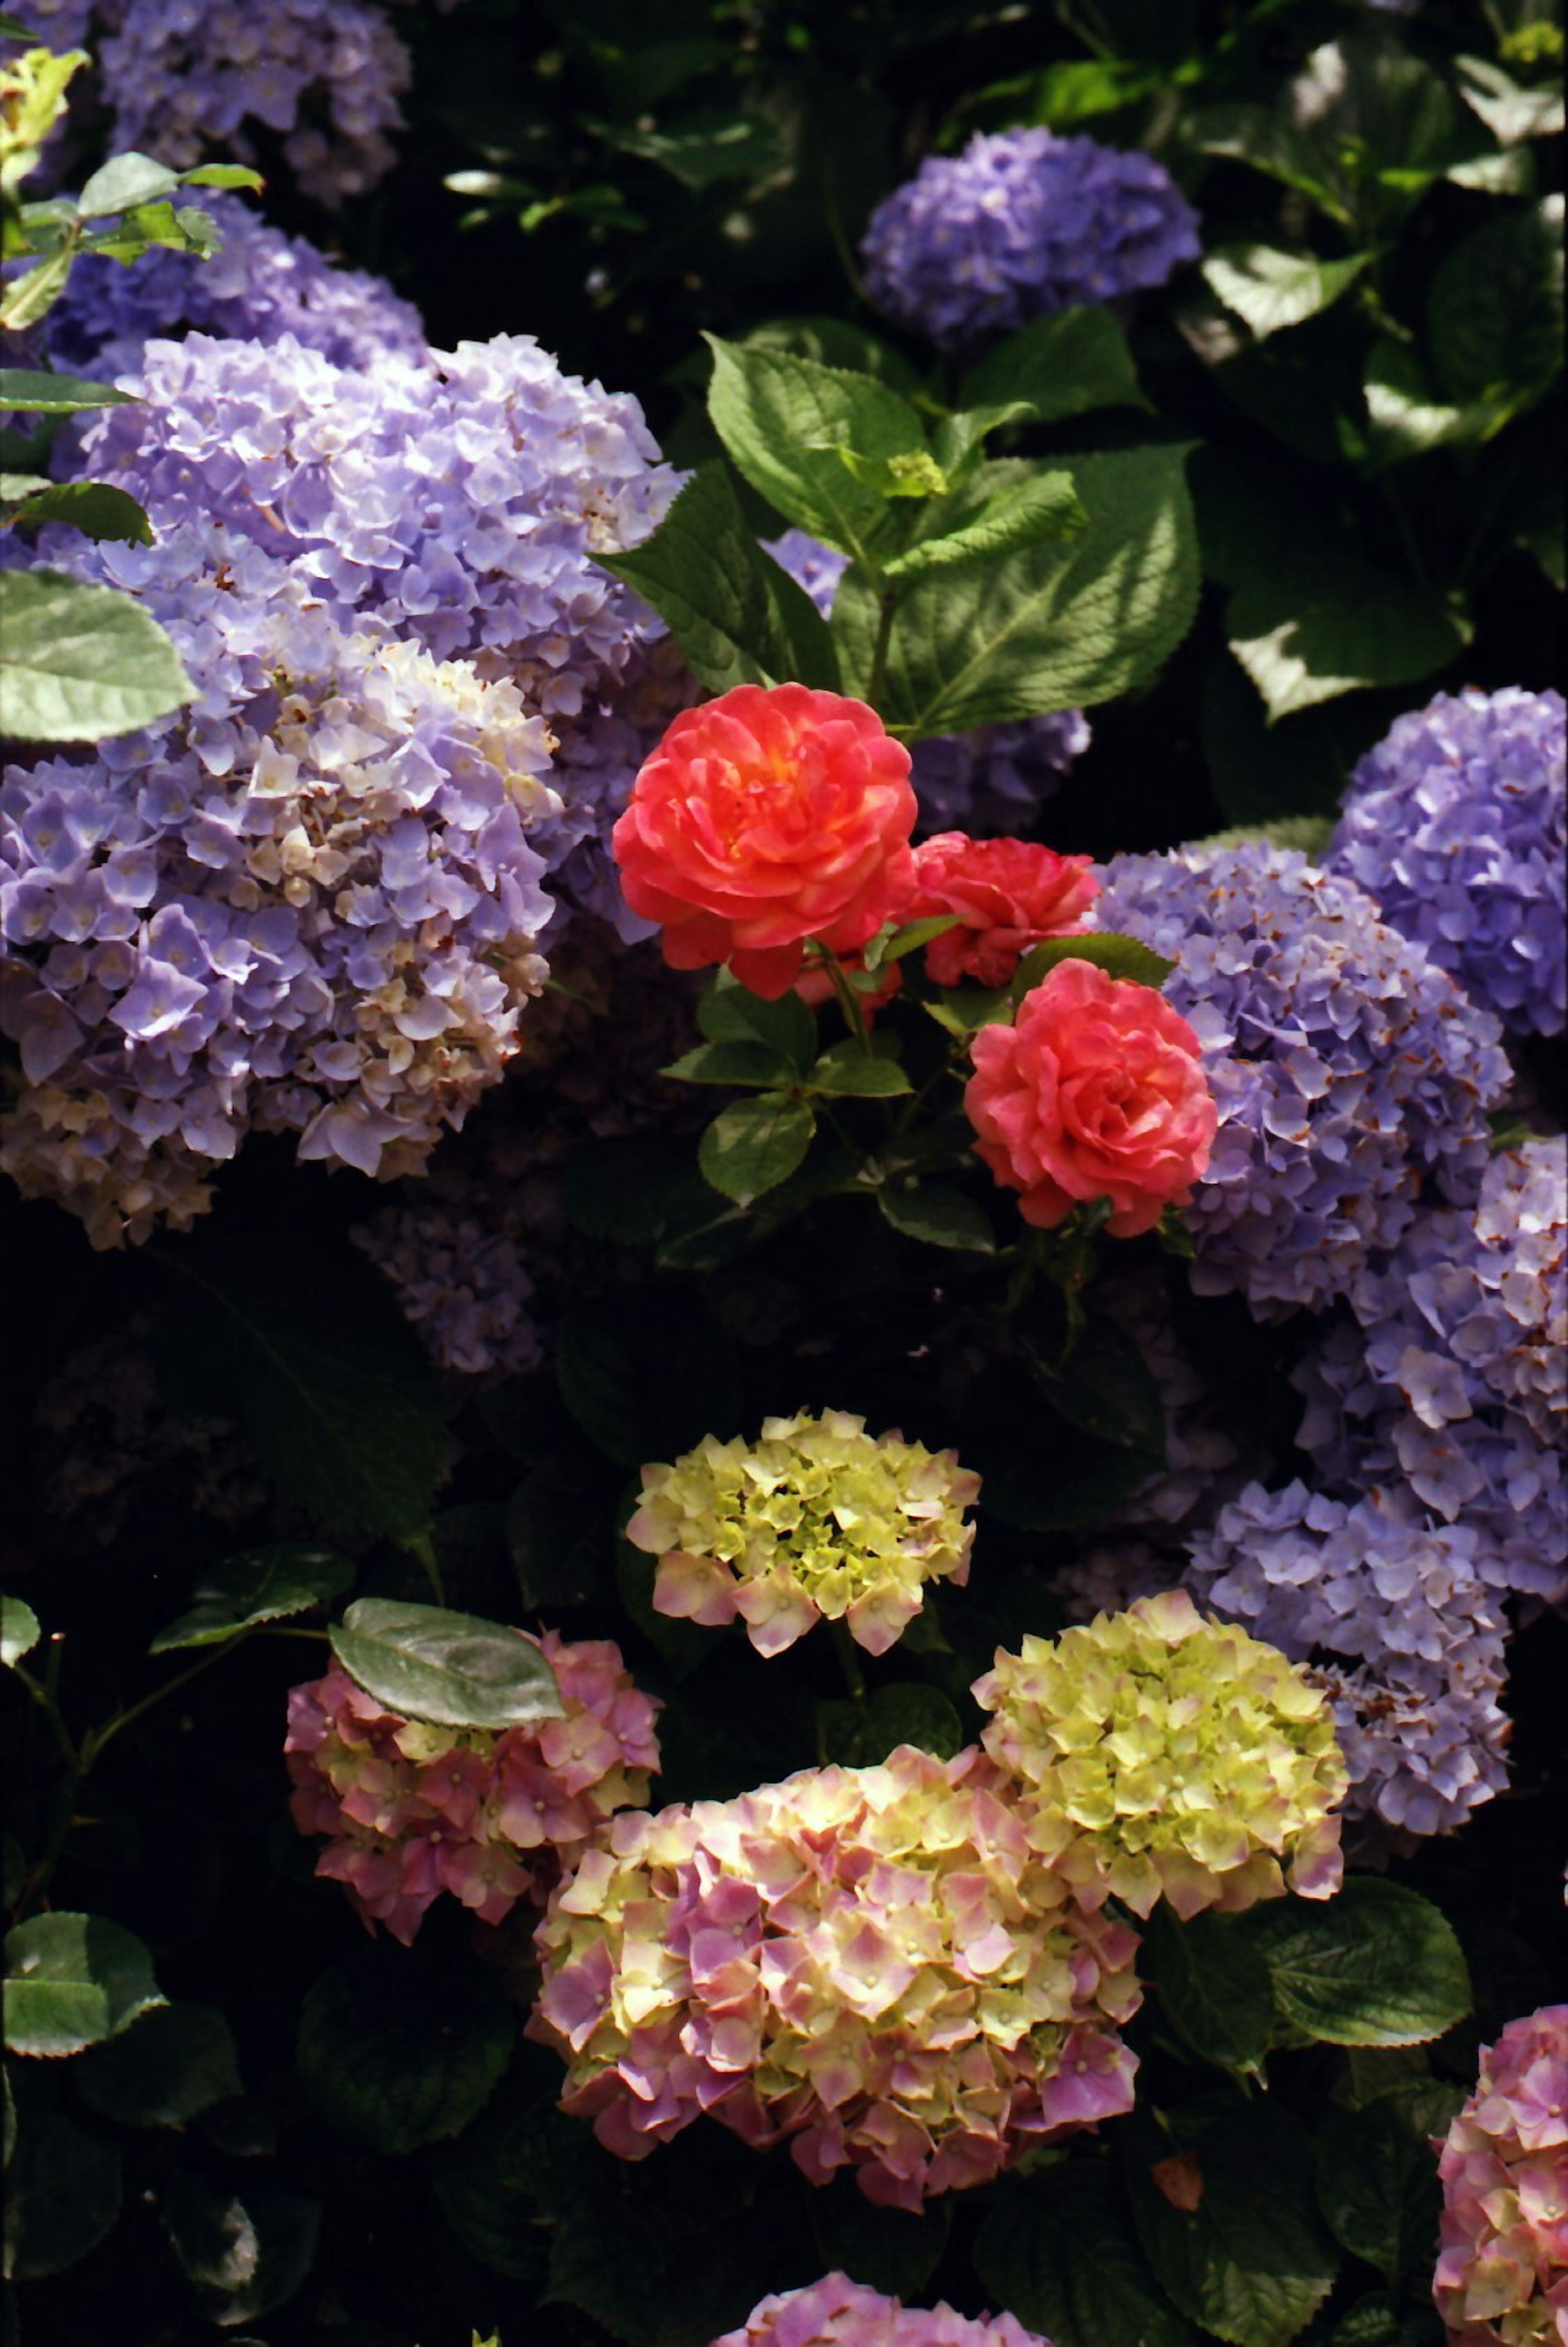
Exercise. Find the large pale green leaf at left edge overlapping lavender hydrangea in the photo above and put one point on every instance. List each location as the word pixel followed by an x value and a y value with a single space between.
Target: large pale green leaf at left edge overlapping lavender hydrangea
pixel 81 663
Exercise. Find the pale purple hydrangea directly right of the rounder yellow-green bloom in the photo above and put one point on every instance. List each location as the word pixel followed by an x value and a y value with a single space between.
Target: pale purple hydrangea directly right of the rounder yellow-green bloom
pixel 1395 1623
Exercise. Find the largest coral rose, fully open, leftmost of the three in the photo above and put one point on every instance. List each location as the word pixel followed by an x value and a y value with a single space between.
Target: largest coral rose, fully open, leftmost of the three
pixel 762 820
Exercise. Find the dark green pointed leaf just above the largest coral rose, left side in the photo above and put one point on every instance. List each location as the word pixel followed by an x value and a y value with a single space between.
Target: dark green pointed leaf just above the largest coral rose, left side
pixel 734 611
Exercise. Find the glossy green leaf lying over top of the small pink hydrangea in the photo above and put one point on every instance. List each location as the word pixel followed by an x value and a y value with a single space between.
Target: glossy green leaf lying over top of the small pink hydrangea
pixel 445 1668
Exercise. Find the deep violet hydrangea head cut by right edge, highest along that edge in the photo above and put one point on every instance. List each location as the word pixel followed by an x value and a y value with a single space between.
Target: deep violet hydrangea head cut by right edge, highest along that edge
pixel 1459 825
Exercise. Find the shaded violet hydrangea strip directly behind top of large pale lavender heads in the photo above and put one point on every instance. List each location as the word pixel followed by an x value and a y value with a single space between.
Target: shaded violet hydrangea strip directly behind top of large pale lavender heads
pixel 257 288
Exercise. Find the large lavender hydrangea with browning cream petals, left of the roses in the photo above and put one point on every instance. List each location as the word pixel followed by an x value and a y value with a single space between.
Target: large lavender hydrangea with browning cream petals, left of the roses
pixel 306 905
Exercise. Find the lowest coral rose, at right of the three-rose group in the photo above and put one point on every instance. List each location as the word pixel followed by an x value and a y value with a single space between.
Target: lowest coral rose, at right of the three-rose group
pixel 1095 1093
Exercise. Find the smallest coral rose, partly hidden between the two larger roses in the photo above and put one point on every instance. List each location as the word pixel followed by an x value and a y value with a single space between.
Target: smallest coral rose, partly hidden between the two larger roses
pixel 1008 895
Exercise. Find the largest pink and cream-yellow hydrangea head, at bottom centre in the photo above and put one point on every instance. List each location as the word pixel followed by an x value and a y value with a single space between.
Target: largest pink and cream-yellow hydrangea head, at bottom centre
pixel 867 1963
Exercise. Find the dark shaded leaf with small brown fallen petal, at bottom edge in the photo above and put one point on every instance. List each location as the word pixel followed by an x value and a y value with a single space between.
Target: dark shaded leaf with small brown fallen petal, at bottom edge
pixel 1250 2261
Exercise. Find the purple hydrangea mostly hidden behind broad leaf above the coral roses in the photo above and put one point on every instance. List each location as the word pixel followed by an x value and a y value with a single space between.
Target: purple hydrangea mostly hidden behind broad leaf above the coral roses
pixel 985 783
